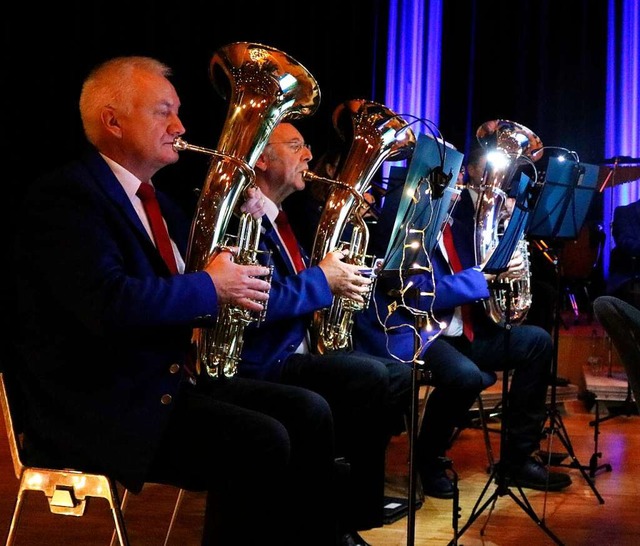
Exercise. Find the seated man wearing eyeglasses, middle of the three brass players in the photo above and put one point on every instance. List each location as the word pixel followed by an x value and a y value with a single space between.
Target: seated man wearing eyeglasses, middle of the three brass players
pixel 365 393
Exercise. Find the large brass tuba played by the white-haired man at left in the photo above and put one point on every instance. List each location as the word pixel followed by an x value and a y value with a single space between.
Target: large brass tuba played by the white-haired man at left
pixel 264 86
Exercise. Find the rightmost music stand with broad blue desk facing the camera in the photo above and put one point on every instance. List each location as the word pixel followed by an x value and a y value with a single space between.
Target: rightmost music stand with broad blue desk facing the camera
pixel 559 215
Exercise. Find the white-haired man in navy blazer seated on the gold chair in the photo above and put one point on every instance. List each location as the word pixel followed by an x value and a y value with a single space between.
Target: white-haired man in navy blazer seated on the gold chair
pixel 103 335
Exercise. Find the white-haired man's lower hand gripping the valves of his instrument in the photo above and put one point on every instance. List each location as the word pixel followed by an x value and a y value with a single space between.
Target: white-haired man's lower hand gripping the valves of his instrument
pixel 238 284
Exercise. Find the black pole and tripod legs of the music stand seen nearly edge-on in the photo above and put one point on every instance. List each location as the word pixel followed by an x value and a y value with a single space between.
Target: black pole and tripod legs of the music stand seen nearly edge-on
pixel 498 471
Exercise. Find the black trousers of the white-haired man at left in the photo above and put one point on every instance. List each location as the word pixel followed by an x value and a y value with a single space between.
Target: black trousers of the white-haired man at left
pixel 264 452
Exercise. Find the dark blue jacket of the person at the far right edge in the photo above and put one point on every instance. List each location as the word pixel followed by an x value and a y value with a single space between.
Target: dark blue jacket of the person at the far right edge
pixel 624 265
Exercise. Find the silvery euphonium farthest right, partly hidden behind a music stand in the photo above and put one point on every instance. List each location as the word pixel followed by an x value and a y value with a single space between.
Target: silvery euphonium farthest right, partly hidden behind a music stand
pixel 509 146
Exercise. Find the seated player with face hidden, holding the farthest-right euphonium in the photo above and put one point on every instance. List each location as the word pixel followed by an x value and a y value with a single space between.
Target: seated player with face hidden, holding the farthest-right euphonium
pixel 464 358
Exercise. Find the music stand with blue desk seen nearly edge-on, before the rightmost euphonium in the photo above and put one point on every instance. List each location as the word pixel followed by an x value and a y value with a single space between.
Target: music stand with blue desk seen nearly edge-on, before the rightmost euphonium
pixel 498 263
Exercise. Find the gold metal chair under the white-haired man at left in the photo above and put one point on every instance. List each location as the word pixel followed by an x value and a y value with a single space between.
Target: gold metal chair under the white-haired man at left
pixel 68 491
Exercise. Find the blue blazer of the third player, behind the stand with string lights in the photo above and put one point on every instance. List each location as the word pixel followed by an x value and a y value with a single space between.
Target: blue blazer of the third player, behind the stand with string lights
pixel 451 290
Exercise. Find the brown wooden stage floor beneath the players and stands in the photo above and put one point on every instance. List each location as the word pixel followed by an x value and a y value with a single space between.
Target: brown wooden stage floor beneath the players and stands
pixel 575 516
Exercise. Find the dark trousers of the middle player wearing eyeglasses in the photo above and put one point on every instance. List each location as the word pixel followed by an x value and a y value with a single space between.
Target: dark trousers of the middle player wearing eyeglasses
pixel 367 396
